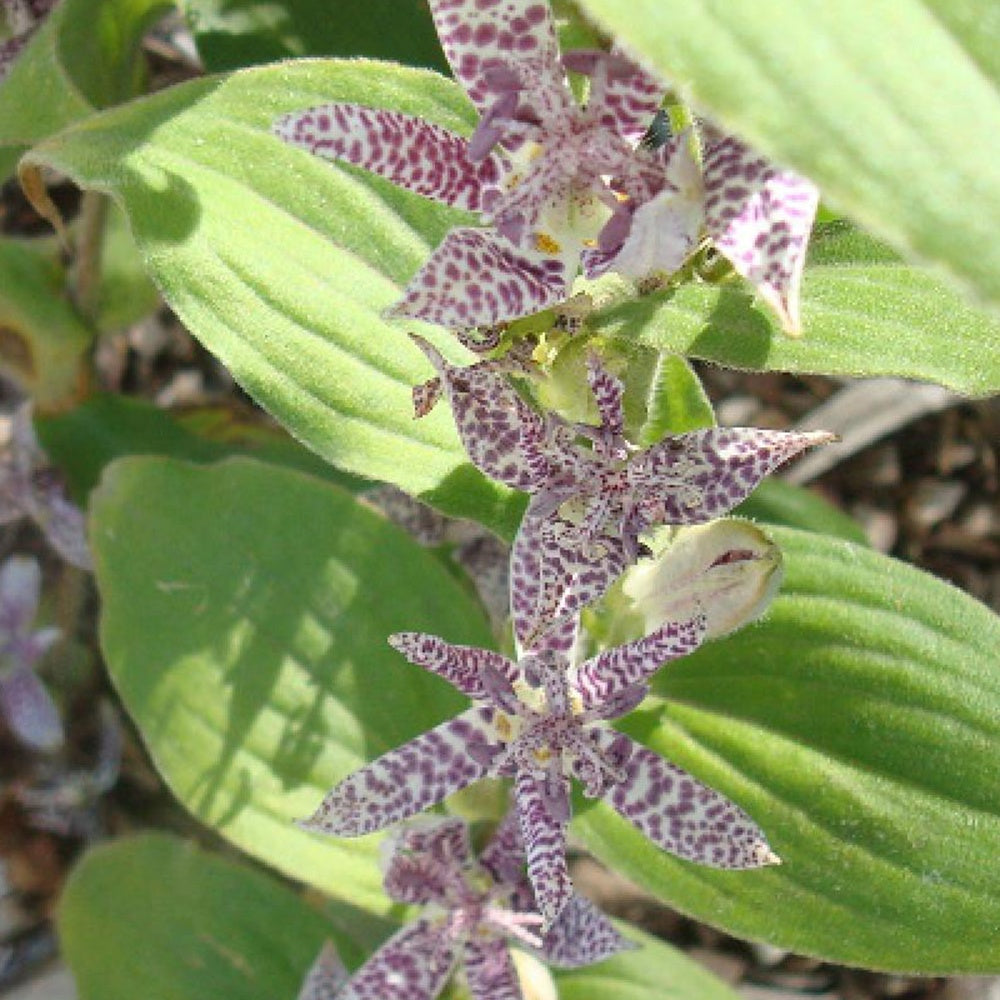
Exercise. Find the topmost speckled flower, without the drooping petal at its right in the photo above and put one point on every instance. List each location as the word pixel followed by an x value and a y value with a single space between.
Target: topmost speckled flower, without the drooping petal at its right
pixel 548 177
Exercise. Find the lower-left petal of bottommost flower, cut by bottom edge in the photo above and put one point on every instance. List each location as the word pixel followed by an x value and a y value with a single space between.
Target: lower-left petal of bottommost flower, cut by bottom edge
pixel 414 964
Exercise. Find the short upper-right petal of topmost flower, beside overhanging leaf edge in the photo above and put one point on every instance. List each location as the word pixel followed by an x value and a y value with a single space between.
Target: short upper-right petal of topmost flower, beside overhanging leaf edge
pixel 622 94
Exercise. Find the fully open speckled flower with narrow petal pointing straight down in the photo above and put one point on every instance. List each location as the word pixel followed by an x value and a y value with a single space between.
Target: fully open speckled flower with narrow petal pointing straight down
pixel 541 723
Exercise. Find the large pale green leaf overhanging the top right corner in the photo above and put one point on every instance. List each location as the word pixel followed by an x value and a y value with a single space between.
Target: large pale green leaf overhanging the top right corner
pixel 891 106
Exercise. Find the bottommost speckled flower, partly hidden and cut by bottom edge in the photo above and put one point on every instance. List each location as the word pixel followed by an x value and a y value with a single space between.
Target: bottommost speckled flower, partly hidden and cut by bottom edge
pixel 473 910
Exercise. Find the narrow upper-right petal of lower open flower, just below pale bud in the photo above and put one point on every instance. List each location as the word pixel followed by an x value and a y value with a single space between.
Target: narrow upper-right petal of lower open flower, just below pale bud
pixel 612 672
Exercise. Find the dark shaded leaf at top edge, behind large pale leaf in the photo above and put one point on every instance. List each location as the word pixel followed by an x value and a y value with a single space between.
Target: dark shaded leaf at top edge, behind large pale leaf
pixel 230 35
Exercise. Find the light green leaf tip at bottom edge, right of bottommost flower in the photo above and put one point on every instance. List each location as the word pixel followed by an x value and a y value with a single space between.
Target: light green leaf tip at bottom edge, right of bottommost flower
pixel 652 972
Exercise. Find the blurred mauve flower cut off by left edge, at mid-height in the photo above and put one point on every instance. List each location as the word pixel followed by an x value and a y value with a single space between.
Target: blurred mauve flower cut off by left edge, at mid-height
pixel 30 487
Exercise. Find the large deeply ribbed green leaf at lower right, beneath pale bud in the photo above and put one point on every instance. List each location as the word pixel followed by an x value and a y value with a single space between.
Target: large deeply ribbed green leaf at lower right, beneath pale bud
pixel 859 724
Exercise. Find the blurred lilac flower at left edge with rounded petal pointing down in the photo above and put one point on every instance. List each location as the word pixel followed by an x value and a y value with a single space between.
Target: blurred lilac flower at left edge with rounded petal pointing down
pixel 26 705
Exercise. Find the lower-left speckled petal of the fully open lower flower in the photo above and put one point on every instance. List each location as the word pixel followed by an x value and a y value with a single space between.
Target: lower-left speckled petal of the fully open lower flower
pixel 408 780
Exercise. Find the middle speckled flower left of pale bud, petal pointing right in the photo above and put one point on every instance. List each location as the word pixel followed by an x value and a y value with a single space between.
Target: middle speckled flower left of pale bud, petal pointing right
pixel 592 493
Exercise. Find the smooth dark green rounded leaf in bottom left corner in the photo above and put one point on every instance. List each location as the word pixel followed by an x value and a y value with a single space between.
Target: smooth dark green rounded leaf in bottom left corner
pixel 158 915
